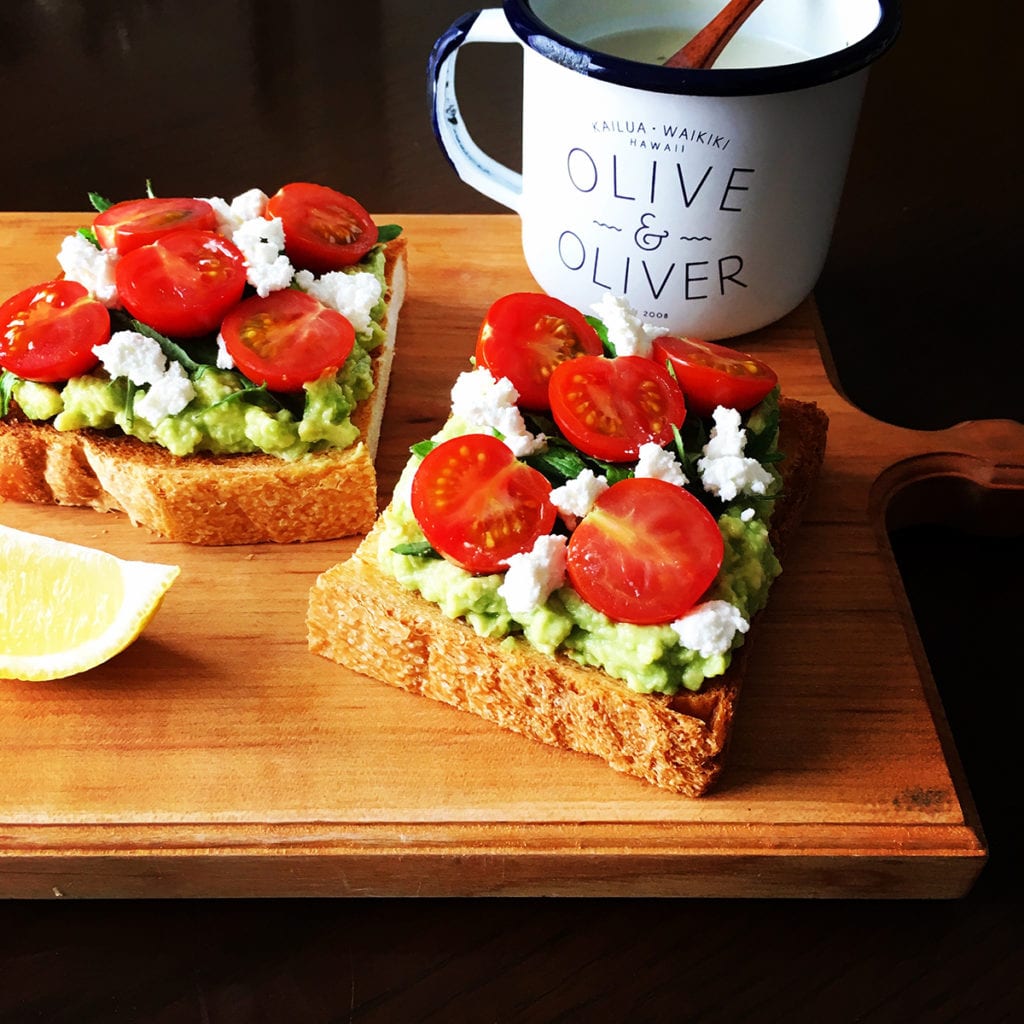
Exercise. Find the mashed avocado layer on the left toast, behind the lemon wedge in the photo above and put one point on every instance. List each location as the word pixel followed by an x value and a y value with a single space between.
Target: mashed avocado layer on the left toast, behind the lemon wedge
pixel 229 414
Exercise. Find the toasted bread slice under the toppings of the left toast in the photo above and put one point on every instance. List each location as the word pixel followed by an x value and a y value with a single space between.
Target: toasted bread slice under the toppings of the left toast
pixel 207 499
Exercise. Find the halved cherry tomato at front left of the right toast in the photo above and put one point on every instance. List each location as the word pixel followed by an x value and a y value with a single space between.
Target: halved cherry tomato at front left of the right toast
pixel 479 505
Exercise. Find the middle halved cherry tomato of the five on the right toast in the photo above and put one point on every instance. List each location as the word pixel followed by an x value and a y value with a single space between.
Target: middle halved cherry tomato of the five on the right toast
pixel 609 408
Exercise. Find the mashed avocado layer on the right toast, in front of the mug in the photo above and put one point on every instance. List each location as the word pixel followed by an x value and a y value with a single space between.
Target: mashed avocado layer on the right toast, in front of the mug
pixel 648 659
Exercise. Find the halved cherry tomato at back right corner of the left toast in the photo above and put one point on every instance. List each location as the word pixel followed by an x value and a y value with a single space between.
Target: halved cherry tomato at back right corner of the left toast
pixel 324 230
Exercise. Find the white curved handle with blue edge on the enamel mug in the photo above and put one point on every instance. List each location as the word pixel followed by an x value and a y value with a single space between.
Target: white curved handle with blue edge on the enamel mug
pixel 484 174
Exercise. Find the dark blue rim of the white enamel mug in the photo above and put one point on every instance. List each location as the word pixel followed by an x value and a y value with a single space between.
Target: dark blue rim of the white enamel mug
pixel 704 82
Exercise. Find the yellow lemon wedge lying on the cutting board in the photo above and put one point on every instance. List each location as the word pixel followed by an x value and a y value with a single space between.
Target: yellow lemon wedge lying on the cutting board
pixel 66 609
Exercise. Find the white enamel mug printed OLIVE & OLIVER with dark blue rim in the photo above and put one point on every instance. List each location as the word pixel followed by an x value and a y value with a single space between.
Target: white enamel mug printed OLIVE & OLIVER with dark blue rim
pixel 707 198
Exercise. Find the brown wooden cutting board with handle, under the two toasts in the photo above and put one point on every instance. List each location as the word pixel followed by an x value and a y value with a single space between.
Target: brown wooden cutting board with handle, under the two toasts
pixel 217 757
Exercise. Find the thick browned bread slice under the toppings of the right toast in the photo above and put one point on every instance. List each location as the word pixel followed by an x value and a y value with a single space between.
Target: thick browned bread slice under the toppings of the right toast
pixel 364 620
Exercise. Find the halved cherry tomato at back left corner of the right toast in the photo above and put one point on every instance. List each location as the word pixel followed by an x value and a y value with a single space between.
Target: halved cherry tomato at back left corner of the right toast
pixel 526 335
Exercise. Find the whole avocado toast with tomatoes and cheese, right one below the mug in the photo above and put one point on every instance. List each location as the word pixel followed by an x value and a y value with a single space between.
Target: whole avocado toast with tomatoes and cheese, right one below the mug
pixel 556 638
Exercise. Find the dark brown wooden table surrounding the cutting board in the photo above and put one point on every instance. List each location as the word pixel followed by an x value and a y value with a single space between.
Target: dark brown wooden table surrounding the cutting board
pixel 919 305
